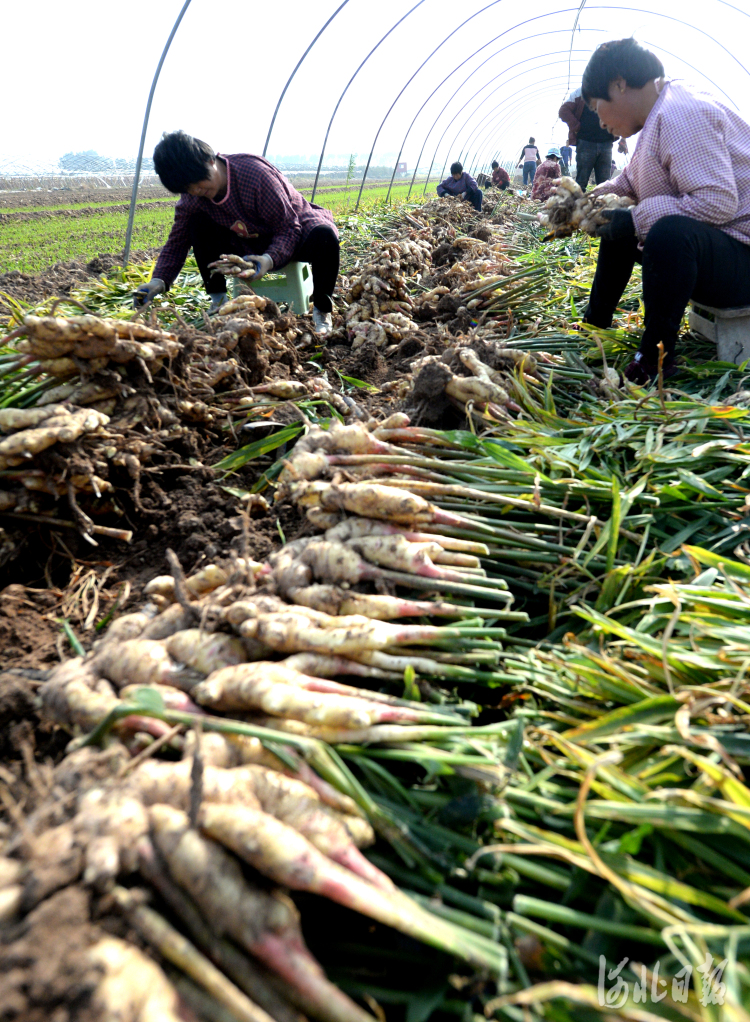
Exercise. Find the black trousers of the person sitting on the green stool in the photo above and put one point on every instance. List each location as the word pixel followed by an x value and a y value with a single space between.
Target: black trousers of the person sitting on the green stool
pixel 320 249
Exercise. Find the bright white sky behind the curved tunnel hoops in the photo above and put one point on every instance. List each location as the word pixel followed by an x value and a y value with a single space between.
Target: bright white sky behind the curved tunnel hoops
pixel 83 78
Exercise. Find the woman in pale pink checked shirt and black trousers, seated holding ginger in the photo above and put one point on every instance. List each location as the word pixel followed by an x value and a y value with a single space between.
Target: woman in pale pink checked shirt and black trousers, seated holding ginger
pixel 690 177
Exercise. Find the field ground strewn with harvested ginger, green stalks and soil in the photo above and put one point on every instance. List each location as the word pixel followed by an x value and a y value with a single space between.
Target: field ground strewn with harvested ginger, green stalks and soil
pixel 420 654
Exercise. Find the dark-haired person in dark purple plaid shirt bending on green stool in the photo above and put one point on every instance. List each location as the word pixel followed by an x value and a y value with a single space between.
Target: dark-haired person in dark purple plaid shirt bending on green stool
pixel 241 205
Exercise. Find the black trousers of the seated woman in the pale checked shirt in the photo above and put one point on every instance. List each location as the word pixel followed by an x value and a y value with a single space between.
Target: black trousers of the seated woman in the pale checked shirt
pixel 682 259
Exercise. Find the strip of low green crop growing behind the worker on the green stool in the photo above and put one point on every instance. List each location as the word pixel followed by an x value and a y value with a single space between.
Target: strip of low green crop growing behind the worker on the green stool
pixel 32 246
